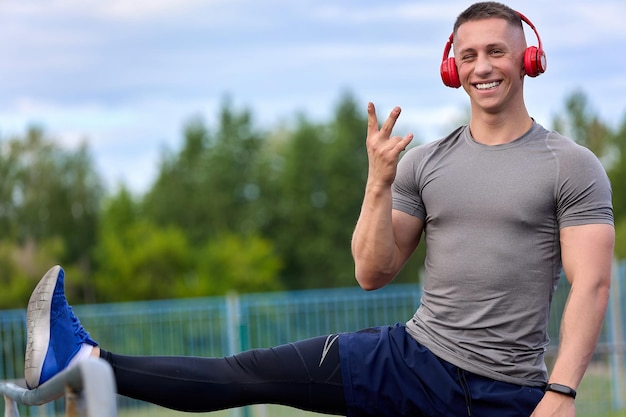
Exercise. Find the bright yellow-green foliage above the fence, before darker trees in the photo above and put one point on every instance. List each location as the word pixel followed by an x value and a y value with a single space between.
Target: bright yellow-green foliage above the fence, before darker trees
pixel 140 260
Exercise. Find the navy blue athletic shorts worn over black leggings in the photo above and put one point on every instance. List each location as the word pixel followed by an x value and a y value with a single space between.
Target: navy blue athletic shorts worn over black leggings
pixel 387 373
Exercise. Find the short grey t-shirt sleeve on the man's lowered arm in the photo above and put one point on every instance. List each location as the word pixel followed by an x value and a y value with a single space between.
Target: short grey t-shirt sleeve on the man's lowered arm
pixel 584 195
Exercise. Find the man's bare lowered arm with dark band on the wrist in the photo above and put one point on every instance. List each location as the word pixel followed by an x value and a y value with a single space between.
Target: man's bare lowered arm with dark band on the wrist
pixel 587 253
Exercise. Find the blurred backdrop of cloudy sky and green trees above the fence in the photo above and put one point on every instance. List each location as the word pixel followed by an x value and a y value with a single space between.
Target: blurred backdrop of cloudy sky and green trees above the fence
pixel 162 149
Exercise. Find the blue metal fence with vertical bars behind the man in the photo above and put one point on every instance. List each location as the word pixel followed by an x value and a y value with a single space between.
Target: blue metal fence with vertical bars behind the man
pixel 219 326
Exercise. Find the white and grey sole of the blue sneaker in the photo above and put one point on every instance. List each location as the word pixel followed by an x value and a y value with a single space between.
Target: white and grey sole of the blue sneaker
pixel 38 326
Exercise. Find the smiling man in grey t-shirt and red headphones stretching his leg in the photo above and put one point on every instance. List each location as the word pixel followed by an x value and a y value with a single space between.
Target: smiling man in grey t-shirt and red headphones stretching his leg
pixel 503 205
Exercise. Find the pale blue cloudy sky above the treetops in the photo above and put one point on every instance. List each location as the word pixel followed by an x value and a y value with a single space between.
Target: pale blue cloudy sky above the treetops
pixel 125 76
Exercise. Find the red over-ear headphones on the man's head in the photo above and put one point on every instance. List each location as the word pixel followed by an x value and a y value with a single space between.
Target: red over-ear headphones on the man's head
pixel 534 60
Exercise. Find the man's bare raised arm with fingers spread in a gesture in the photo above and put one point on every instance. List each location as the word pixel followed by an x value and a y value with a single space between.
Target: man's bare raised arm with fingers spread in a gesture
pixel 383 238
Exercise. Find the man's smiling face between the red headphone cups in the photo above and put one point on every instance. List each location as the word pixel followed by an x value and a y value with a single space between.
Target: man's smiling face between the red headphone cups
pixel 489 54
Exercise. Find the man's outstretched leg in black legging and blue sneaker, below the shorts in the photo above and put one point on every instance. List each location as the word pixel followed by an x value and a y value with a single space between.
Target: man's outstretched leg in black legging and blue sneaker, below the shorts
pixel 304 374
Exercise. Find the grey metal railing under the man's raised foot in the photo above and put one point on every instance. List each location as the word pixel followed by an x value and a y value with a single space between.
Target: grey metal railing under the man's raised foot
pixel 88 387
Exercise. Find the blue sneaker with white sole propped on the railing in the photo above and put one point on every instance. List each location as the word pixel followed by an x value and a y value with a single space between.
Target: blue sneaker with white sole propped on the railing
pixel 55 334
